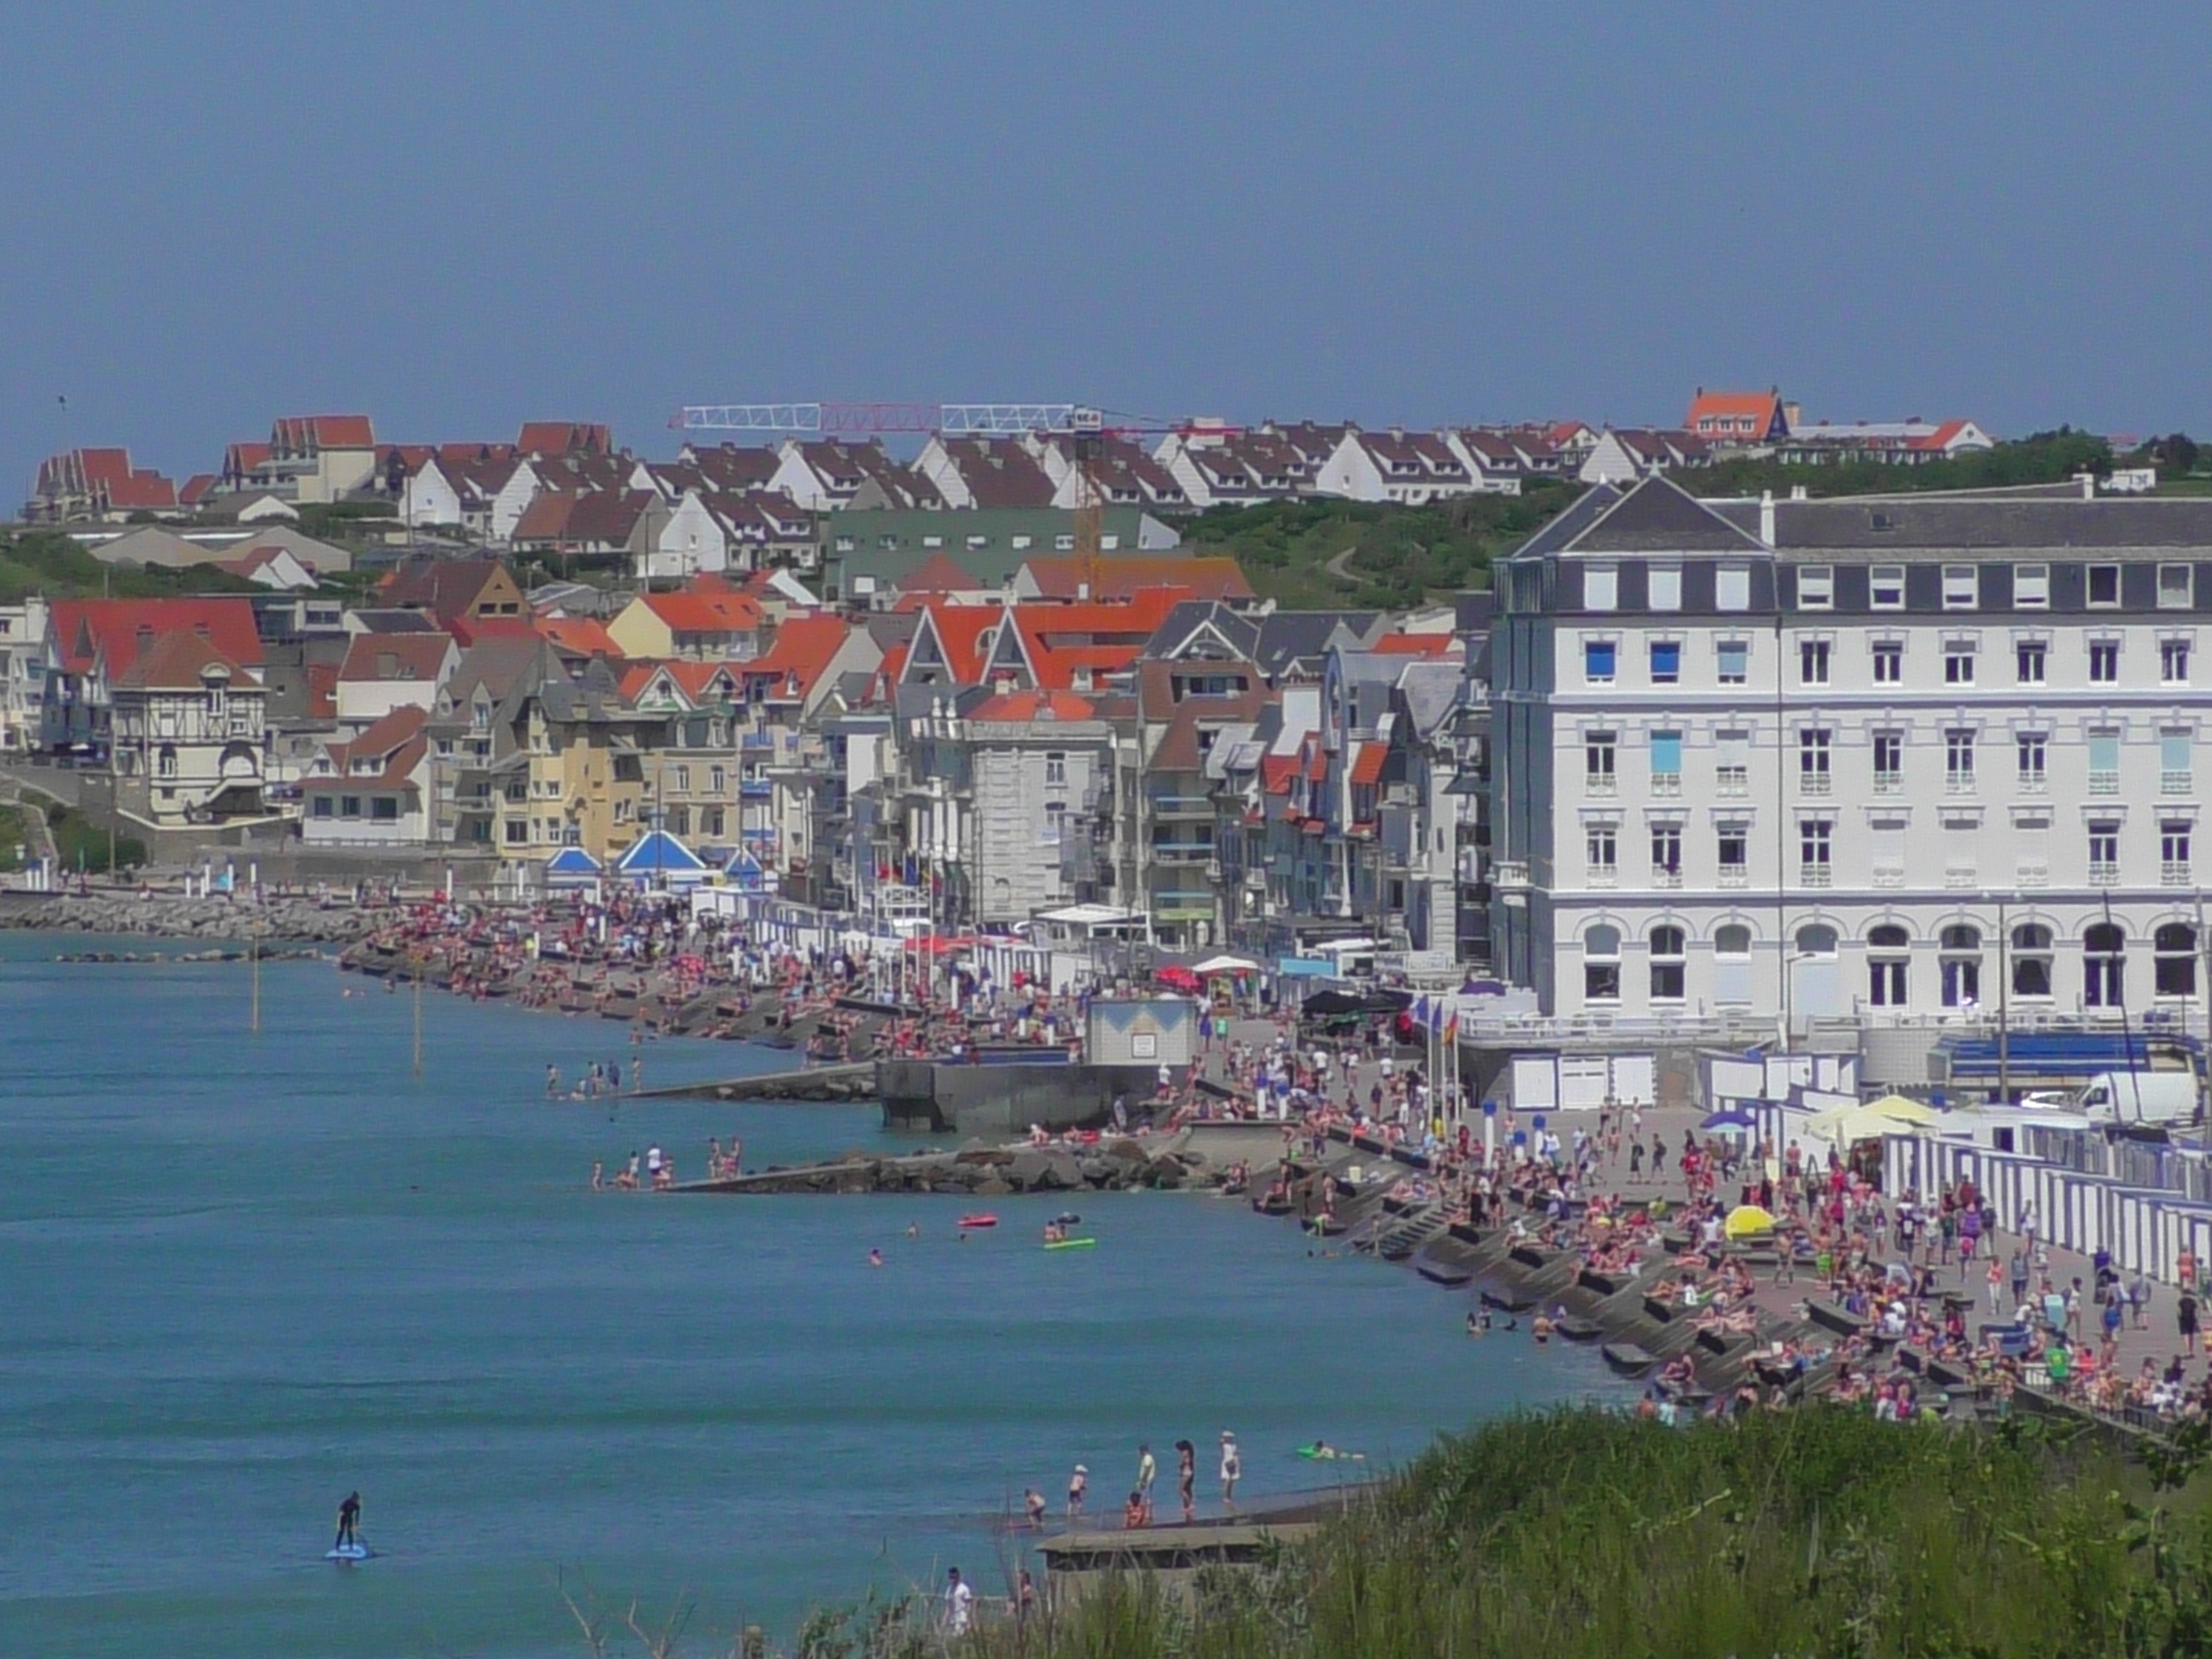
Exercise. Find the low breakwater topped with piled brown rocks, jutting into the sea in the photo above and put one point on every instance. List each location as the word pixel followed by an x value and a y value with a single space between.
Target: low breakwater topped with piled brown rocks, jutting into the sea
pixel 994 1171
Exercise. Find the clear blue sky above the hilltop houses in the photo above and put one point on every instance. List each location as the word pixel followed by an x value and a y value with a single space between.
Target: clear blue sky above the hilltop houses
pixel 457 218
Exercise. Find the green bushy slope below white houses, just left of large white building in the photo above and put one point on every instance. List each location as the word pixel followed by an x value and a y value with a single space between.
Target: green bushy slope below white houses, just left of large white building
pixel 1390 556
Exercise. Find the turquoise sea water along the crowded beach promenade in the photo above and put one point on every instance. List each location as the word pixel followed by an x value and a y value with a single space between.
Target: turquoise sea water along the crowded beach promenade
pixel 244 1275
